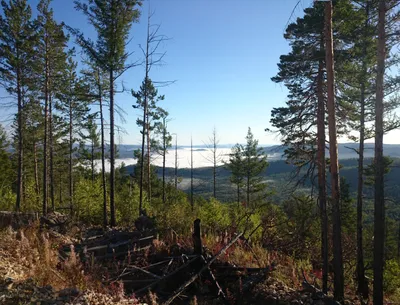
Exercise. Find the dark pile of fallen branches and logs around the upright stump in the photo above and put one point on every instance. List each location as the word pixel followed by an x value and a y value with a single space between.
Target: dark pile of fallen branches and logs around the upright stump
pixel 130 258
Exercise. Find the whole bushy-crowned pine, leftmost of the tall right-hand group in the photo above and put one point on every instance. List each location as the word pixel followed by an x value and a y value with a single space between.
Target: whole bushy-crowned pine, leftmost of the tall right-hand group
pixel 301 123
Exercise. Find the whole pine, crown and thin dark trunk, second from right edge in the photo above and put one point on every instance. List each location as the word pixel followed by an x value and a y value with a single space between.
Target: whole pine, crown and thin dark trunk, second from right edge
pixel 358 87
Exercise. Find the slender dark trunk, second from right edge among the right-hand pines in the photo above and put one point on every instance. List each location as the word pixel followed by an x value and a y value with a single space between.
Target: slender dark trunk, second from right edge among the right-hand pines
pixel 362 287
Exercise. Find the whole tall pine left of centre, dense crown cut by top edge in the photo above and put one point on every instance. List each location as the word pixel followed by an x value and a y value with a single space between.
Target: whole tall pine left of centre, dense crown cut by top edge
pixel 112 21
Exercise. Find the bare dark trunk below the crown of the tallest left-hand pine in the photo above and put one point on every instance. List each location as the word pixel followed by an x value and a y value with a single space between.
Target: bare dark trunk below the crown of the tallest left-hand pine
pixel 112 152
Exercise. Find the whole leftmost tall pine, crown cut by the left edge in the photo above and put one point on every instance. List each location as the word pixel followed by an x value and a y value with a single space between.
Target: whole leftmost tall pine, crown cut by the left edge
pixel 17 38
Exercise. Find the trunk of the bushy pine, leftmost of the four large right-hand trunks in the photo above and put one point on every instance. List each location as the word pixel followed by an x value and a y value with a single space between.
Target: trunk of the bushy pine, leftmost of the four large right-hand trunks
pixel 322 176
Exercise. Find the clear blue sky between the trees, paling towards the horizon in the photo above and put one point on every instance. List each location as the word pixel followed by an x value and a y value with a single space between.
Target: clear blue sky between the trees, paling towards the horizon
pixel 221 55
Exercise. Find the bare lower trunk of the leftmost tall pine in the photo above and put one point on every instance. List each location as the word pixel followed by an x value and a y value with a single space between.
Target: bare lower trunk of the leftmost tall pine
pixel 20 144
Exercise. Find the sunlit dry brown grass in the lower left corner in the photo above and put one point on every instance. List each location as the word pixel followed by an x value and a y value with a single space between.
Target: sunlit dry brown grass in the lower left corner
pixel 31 255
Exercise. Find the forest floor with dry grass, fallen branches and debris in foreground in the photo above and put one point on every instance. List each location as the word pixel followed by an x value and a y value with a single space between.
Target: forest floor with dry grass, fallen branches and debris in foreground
pixel 42 264
